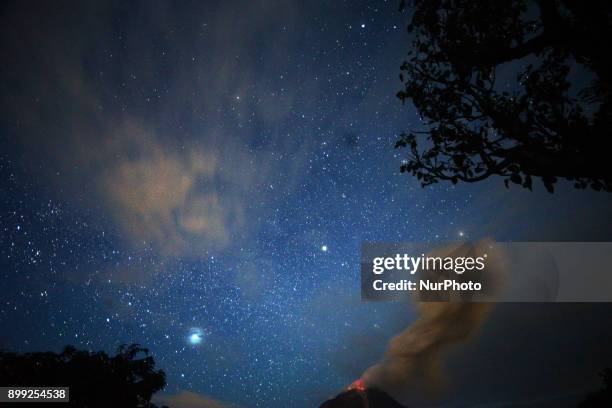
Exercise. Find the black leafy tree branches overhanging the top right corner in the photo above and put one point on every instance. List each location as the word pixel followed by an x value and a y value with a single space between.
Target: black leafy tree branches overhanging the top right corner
pixel 514 88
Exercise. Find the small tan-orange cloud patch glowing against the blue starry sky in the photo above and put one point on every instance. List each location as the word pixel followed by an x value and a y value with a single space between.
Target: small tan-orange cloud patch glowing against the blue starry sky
pixel 168 198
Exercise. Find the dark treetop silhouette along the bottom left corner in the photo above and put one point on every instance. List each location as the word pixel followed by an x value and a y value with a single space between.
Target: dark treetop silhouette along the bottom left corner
pixel 128 379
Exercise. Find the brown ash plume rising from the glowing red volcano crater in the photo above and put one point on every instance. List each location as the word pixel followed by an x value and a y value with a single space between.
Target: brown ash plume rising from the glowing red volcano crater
pixel 415 358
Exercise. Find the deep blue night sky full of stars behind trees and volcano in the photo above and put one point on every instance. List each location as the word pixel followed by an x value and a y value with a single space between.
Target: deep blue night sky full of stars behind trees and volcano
pixel 198 177
